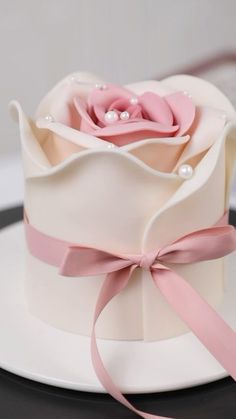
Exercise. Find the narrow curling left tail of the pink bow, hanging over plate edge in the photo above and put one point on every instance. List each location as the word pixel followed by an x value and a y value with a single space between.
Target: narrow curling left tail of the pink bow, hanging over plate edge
pixel 112 285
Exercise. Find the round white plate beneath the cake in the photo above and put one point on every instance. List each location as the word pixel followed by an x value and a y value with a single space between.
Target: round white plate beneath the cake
pixel 35 350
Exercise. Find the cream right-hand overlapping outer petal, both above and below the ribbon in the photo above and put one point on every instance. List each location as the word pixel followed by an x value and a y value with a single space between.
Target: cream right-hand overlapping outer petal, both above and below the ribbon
pixel 197 204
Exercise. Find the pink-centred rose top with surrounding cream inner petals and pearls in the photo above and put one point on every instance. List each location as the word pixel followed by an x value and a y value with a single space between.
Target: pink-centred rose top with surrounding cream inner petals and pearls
pixel 155 122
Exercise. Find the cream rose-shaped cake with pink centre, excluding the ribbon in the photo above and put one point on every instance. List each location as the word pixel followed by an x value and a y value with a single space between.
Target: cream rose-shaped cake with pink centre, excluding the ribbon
pixel 126 170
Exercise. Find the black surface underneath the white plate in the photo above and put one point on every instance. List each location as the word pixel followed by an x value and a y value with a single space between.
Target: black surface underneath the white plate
pixel 24 399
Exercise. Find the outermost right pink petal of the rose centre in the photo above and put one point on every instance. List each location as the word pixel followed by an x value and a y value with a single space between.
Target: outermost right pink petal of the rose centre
pixel 183 110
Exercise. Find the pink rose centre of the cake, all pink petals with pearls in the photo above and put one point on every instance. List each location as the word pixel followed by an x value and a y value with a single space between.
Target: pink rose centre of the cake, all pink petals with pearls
pixel 117 115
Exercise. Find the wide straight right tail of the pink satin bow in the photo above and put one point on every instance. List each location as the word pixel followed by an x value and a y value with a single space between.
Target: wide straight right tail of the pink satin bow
pixel 215 334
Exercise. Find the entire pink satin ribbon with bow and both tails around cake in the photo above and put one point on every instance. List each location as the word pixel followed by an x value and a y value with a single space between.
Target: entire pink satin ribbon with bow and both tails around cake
pixel 207 244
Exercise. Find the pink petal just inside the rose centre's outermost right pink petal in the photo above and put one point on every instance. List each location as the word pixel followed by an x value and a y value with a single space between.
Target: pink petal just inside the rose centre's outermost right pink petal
pixel 156 108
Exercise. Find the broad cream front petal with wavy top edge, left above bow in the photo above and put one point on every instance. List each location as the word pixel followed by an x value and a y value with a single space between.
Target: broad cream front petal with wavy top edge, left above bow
pixel 109 197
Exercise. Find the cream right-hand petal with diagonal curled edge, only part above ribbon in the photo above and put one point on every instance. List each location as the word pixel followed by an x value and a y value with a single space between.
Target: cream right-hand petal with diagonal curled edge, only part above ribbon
pixel 200 201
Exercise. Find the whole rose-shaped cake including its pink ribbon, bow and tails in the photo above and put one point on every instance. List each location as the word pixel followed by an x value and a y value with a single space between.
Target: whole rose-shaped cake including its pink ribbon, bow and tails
pixel 119 181
